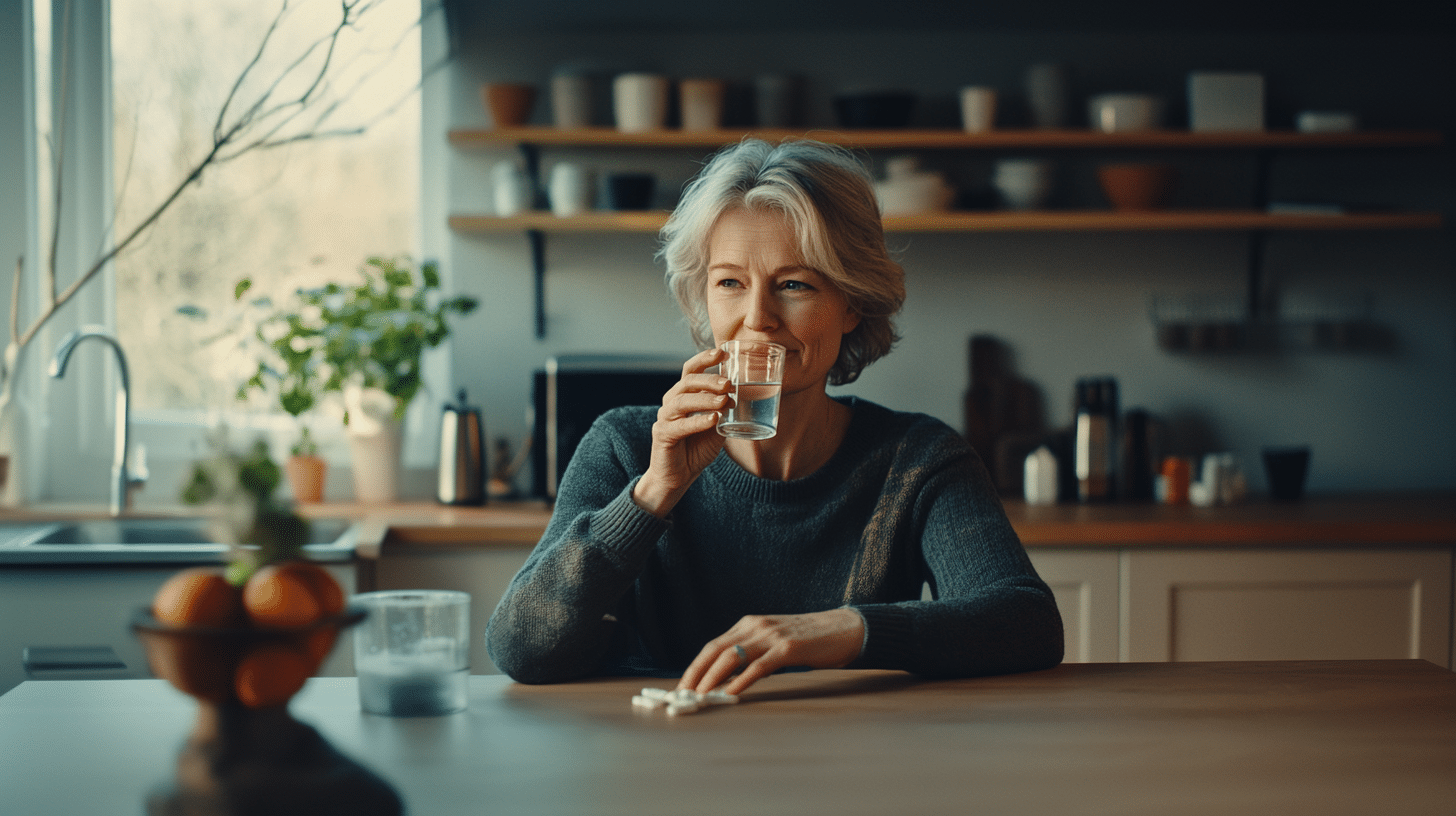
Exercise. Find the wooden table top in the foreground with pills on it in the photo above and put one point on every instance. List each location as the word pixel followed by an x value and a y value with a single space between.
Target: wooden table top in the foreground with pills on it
pixel 1318 738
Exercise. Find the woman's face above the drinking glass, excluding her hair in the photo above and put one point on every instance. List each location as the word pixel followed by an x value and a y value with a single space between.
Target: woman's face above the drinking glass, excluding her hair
pixel 759 289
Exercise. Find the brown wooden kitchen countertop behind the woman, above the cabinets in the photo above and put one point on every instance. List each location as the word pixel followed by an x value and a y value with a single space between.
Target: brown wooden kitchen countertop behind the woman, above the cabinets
pixel 1359 519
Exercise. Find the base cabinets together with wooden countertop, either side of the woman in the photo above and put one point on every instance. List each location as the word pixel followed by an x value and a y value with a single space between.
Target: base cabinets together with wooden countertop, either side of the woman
pixel 1327 578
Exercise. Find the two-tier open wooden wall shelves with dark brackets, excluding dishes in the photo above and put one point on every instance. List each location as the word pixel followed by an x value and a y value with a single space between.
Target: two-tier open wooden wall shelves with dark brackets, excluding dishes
pixel 1257 219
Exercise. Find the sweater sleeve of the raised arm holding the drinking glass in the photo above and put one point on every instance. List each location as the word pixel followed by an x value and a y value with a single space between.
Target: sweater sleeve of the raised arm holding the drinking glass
pixel 555 621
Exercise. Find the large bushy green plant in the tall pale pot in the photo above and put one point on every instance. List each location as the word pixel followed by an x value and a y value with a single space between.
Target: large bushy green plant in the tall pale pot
pixel 365 342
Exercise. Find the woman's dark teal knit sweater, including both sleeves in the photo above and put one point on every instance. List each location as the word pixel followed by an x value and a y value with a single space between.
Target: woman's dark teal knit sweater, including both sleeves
pixel 905 502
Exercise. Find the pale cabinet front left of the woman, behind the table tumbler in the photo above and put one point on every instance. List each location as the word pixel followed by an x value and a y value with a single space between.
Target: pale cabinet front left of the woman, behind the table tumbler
pixel 483 573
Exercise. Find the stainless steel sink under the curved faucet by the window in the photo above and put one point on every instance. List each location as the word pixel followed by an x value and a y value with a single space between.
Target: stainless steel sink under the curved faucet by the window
pixel 148 540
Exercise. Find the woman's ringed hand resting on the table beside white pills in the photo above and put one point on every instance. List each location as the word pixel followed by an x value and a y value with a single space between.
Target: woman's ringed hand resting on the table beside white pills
pixel 761 645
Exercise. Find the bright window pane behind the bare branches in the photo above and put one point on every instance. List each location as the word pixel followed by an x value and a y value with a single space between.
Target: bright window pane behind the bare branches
pixel 298 215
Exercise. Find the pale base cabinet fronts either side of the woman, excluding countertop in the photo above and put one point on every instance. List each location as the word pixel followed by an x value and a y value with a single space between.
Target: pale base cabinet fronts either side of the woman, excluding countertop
pixel 1135 604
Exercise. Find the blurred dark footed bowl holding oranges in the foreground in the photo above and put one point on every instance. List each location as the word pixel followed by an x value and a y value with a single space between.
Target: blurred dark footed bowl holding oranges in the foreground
pixel 253 645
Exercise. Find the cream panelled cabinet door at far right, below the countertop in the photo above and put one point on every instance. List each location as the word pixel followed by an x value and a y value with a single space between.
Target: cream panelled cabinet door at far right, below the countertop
pixel 1288 605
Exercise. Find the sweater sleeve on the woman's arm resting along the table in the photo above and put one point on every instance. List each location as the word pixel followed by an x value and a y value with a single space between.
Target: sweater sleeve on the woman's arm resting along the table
pixel 991 613
